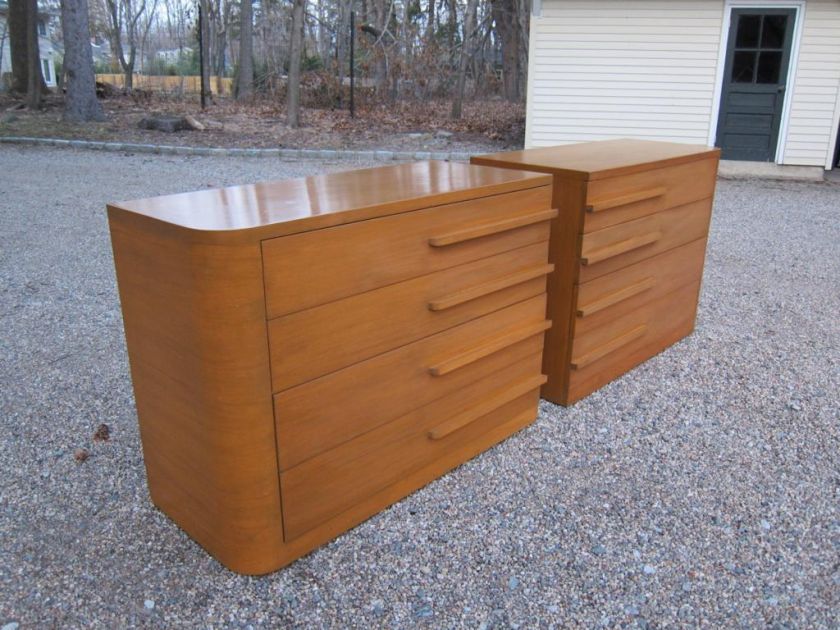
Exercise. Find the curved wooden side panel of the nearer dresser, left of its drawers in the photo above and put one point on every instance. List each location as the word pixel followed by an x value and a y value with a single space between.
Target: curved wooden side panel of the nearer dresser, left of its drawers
pixel 197 344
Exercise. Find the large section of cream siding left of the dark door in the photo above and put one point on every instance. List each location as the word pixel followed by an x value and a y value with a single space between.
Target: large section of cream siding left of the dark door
pixel 618 68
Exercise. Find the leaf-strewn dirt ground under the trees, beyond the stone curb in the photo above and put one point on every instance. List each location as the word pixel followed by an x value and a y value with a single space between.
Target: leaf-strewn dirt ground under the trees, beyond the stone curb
pixel 487 125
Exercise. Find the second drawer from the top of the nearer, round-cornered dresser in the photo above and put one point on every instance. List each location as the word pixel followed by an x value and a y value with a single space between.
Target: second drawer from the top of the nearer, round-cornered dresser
pixel 332 336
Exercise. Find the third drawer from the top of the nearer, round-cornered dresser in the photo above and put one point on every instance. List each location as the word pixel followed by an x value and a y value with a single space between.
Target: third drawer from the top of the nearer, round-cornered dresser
pixel 323 413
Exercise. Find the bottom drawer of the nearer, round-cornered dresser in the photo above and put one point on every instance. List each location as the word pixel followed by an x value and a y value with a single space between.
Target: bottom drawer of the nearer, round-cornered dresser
pixel 333 481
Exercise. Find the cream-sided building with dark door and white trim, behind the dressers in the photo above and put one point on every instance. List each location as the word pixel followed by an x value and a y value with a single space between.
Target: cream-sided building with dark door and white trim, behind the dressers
pixel 758 78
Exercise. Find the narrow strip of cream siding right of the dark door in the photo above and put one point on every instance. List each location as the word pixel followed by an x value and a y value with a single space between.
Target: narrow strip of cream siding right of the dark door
pixel 812 125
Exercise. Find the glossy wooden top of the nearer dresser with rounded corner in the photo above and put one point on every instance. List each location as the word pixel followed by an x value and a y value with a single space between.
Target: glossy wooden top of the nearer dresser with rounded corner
pixel 297 205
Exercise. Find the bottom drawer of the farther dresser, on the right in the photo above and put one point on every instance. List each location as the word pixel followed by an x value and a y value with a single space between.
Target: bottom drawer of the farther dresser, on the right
pixel 601 354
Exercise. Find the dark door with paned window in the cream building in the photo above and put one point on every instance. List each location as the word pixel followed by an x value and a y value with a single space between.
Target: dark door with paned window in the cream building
pixel 754 80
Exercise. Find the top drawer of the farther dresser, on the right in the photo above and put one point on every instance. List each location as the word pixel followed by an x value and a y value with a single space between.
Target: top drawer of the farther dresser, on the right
pixel 619 199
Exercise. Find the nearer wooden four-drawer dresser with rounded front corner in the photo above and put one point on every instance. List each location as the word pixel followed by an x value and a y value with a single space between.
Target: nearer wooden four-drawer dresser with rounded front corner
pixel 306 352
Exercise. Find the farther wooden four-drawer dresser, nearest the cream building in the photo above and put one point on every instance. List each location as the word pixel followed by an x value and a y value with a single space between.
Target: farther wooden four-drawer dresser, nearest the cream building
pixel 628 248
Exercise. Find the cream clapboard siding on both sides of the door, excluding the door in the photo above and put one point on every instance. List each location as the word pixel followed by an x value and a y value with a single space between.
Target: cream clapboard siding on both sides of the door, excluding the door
pixel 602 69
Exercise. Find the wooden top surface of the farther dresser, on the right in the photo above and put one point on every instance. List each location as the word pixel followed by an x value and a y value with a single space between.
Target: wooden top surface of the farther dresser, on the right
pixel 598 160
